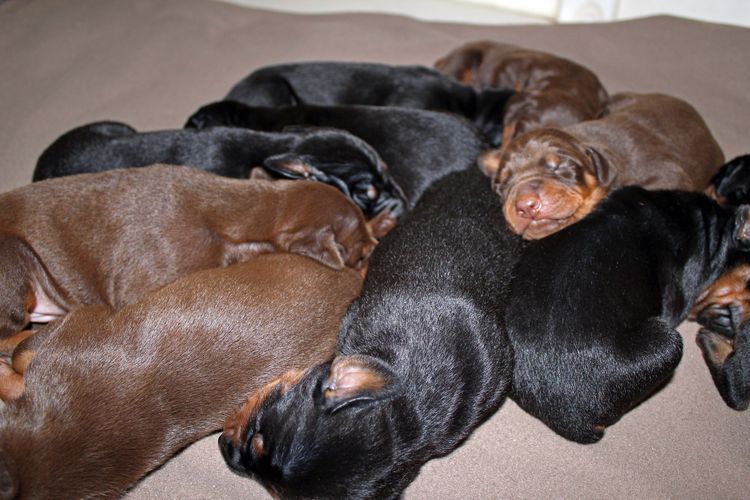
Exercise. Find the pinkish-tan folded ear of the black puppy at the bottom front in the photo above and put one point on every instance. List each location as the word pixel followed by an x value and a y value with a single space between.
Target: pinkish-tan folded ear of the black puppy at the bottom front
pixel 357 378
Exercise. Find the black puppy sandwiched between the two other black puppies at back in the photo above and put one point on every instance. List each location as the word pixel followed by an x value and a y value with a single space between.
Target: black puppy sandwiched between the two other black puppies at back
pixel 418 146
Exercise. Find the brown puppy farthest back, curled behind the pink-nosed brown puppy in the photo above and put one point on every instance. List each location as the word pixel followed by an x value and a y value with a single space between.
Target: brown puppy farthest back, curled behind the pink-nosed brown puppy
pixel 550 91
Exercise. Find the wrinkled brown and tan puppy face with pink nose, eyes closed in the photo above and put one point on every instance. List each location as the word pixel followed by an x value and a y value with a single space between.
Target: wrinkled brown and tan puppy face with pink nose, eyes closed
pixel 546 180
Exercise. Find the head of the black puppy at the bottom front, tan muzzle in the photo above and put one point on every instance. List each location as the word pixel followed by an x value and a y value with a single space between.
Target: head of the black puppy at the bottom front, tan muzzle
pixel 321 434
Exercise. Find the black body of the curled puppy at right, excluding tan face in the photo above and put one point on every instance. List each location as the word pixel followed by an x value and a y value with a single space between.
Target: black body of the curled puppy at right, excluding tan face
pixel 594 306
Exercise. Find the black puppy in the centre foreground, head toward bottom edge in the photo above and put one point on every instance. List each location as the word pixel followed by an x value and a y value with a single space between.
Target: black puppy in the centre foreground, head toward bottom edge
pixel 422 359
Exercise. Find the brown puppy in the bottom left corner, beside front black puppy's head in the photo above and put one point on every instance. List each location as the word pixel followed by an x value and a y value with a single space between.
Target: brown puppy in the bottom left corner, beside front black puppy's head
pixel 109 396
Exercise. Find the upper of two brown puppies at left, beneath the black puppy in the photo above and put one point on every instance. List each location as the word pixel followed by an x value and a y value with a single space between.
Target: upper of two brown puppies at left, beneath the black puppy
pixel 109 237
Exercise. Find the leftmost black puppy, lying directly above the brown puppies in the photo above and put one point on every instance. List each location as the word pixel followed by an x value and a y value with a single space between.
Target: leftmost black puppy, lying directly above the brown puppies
pixel 330 156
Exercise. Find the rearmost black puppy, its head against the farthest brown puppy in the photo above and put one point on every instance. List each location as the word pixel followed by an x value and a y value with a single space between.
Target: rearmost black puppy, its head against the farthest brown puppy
pixel 342 83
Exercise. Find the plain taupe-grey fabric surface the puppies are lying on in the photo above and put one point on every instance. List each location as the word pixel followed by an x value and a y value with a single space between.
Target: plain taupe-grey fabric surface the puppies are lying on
pixel 152 62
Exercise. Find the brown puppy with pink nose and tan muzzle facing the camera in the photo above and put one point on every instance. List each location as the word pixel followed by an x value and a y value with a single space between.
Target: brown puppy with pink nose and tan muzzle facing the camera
pixel 550 178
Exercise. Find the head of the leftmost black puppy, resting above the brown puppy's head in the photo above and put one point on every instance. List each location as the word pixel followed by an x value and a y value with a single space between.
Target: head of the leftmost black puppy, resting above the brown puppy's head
pixel 345 162
